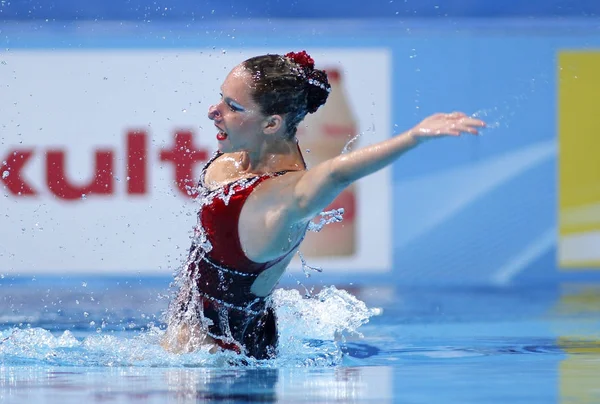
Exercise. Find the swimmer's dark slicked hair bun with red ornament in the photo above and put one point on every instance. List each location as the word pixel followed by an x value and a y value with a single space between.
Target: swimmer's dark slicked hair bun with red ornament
pixel 288 85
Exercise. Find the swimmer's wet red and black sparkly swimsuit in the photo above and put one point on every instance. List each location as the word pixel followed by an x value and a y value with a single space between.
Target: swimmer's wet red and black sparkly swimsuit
pixel 223 275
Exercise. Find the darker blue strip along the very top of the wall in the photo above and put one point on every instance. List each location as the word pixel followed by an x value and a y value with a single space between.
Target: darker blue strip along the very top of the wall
pixel 174 10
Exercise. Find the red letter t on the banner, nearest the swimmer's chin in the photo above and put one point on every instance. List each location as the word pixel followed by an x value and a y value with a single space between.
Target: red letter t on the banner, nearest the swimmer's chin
pixel 184 156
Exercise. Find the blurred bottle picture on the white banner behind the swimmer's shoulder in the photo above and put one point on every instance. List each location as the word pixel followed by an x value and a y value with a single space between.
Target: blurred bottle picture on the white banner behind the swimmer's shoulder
pixel 324 135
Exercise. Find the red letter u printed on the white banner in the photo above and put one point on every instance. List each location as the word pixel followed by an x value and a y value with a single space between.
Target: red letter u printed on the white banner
pixel 101 183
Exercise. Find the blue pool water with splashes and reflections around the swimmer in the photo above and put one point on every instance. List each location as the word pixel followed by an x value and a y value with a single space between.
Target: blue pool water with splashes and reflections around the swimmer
pixel 96 340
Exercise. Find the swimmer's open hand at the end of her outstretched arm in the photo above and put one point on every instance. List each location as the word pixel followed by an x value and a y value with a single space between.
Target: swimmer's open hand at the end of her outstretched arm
pixel 441 125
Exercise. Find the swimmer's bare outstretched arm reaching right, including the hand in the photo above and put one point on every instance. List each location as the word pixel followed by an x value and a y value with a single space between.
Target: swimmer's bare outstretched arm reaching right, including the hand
pixel 320 185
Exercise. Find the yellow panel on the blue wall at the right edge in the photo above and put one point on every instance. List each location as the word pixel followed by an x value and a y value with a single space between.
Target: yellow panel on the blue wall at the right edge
pixel 579 144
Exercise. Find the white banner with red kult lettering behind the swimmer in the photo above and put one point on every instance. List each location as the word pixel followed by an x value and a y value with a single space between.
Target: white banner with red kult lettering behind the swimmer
pixel 95 145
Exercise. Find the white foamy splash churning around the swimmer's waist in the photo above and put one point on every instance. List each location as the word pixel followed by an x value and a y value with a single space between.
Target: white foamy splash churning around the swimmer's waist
pixel 311 332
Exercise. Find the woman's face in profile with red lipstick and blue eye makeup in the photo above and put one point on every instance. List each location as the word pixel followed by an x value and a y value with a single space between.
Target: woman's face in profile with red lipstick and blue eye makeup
pixel 237 117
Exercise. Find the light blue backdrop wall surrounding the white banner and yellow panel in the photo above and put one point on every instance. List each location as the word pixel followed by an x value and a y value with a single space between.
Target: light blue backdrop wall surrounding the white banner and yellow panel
pixel 469 211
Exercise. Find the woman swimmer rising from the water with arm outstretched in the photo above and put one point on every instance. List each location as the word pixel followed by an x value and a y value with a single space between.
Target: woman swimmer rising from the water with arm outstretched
pixel 257 198
